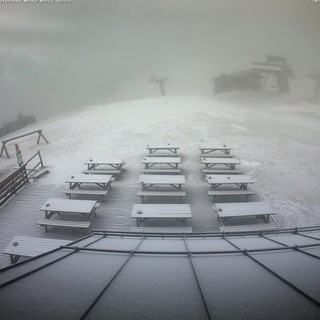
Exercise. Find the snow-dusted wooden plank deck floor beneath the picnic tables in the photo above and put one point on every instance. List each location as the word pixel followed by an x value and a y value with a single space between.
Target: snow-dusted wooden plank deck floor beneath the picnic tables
pixel 19 216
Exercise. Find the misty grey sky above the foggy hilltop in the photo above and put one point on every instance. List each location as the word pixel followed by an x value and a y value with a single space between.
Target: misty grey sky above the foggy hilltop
pixel 56 57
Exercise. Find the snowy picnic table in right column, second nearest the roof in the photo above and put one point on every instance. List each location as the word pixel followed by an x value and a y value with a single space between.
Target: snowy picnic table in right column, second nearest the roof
pixel 242 180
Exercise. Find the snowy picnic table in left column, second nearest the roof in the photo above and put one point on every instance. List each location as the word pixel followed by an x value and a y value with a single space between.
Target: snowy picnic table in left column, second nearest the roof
pixel 55 205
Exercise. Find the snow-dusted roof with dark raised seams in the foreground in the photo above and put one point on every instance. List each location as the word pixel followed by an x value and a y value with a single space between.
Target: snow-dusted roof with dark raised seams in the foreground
pixel 109 275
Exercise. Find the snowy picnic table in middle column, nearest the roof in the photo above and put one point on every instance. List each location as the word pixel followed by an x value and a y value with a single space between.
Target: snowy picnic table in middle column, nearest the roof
pixel 142 212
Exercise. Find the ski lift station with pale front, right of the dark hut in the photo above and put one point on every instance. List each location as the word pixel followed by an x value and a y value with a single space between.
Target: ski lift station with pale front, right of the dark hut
pixel 275 72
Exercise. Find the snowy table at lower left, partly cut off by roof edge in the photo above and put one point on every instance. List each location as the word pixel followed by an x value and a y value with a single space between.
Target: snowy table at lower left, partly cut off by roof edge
pixel 23 246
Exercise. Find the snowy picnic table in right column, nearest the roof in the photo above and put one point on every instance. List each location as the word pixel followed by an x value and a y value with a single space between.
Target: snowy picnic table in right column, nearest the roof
pixel 243 209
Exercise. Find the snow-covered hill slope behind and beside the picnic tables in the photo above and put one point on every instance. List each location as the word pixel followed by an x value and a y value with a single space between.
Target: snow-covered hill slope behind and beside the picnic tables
pixel 278 143
